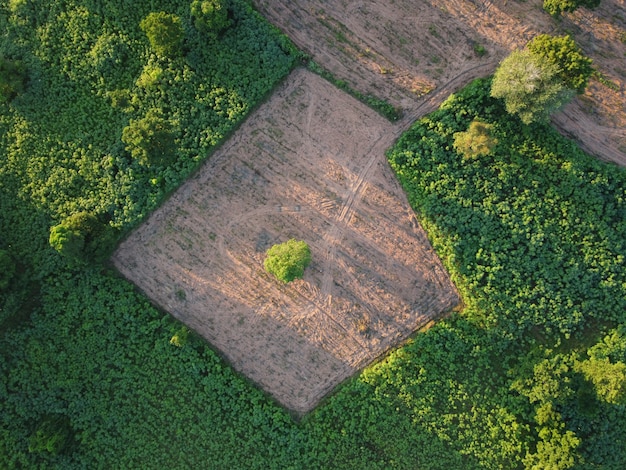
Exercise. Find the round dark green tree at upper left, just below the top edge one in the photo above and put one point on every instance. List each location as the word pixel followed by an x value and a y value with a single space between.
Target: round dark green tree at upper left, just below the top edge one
pixel 165 33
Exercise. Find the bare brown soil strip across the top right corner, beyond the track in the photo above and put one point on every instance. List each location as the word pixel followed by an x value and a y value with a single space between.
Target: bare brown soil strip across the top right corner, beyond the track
pixel 415 53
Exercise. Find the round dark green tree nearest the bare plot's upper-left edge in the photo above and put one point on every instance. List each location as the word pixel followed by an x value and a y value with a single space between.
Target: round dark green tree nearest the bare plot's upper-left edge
pixel 151 140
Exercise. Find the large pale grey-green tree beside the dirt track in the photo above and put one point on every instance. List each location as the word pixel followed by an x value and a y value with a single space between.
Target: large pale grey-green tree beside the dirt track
pixel 529 87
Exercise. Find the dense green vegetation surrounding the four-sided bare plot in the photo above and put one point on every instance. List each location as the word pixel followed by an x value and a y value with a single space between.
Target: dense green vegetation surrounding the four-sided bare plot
pixel 530 374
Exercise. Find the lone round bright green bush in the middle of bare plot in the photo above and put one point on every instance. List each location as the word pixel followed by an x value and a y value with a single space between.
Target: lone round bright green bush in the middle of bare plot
pixel 288 260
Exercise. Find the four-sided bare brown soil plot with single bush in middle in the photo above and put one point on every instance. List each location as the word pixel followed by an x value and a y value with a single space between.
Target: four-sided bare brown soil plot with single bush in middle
pixel 309 164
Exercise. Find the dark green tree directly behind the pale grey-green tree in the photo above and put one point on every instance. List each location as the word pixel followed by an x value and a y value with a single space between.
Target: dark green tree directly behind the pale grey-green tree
pixel 574 68
